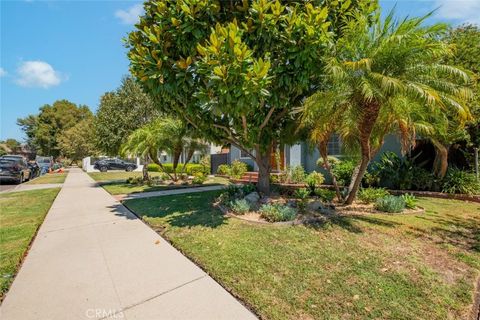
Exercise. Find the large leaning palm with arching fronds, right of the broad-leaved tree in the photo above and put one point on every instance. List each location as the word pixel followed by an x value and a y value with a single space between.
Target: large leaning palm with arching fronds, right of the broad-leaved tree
pixel 375 63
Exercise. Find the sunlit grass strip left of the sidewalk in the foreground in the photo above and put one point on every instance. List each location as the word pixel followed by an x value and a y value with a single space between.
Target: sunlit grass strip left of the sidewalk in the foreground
pixel 21 215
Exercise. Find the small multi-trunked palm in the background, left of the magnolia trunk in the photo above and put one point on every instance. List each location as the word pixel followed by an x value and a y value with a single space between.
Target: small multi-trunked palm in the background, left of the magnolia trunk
pixel 163 134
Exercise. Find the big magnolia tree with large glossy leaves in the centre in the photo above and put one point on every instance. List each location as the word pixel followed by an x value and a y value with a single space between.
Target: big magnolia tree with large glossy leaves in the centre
pixel 234 70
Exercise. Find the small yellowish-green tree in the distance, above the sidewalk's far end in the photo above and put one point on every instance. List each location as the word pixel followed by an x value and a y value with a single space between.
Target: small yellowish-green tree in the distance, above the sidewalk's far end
pixel 78 142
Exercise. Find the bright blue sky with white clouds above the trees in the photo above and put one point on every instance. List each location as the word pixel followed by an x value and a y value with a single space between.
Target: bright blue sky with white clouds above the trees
pixel 72 50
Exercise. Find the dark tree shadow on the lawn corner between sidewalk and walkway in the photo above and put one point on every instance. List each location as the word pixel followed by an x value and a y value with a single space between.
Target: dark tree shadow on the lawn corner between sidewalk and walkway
pixel 182 210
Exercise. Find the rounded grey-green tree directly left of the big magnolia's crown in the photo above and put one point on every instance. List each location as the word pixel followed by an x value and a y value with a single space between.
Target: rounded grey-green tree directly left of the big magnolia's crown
pixel 120 113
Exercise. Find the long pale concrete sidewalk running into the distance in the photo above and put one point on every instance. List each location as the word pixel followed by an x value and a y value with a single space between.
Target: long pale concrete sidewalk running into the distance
pixel 92 259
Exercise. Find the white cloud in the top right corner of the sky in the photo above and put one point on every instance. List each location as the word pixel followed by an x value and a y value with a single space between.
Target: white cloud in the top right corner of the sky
pixel 459 10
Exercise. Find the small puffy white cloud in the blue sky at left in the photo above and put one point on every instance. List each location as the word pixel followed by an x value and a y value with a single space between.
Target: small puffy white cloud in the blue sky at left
pixel 37 74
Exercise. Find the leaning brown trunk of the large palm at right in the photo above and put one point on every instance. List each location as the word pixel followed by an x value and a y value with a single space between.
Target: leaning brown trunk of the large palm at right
pixel 369 117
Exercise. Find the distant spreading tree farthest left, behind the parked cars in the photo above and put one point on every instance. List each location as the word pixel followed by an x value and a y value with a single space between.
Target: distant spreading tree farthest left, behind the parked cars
pixel 44 129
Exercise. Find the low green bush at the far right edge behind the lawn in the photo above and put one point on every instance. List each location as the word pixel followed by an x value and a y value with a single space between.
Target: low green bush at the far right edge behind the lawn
pixel 459 181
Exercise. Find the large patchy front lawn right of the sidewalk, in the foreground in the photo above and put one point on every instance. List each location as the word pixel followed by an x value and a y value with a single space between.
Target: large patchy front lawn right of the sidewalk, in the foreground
pixel 365 267
